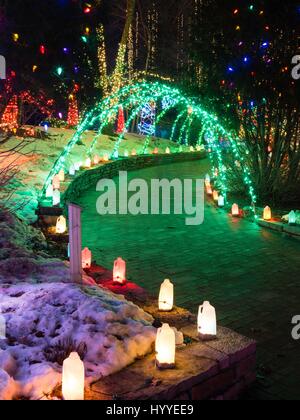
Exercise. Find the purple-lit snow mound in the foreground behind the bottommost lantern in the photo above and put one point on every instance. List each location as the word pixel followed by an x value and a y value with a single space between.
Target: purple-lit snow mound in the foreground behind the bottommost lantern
pixel 40 318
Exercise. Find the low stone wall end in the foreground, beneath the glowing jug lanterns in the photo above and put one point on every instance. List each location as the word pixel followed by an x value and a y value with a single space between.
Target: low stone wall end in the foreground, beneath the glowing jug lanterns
pixel 219 370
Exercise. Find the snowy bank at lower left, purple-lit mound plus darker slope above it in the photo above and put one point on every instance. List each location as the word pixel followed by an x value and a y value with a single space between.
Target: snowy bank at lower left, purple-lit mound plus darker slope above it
pixel 46 317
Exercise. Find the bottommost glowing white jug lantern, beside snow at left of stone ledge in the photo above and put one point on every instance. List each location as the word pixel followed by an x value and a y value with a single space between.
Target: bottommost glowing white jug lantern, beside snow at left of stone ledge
pixel 73 378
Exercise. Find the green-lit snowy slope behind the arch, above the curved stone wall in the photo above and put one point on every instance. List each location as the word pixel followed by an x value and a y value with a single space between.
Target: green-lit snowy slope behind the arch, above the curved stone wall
pixel 38 157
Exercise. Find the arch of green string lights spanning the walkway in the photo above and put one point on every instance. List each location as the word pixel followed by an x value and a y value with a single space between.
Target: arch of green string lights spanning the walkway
pixel 133 98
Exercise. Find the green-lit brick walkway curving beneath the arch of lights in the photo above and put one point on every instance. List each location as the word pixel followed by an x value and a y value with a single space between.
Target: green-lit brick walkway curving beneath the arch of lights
pixel 251 275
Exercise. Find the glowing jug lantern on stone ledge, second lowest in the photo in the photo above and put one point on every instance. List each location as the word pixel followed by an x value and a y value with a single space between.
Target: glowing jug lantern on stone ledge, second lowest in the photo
pixel 165 347
